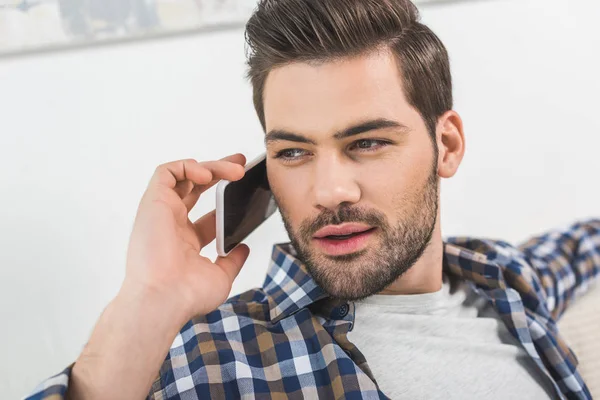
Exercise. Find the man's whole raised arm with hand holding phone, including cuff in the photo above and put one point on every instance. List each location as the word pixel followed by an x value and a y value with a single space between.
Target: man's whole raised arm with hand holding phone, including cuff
pixel 167 283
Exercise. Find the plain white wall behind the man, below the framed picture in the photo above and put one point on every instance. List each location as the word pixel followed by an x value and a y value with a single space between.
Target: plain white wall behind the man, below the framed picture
pixel 81 132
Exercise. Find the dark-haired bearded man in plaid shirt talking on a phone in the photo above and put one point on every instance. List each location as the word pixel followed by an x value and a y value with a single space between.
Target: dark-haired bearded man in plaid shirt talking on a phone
pixel 367 301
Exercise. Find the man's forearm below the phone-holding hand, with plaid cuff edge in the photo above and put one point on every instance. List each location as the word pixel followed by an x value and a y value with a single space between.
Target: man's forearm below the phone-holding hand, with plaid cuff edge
pixel 131 340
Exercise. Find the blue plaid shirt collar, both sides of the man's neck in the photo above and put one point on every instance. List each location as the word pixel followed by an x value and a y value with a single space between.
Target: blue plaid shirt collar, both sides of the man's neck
pixel 290 287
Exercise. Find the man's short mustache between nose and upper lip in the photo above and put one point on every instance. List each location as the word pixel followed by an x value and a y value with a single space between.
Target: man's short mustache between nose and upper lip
pixel 341 215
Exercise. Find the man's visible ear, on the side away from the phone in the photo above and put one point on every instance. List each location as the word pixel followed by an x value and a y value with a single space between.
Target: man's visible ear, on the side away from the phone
pixel 451 143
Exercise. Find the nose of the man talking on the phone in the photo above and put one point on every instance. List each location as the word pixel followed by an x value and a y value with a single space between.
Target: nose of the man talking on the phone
pixel 335 183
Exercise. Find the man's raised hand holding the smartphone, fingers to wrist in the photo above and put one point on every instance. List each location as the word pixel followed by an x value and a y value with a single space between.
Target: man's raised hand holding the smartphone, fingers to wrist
pixel 163 254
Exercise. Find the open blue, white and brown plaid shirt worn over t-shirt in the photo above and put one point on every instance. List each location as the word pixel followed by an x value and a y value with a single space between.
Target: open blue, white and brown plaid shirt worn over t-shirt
pixel 289 339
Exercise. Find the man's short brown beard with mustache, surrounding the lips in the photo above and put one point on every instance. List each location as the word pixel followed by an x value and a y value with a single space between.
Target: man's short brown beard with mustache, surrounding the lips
pixel 358 275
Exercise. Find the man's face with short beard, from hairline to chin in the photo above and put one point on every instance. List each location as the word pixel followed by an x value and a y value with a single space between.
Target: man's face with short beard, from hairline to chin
pixel 353 170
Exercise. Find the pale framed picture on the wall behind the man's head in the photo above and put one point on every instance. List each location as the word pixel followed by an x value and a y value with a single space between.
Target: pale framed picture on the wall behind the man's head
pixel 30 25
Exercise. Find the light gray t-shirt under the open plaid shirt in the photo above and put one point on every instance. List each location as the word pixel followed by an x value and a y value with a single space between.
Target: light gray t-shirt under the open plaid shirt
pixel 444 346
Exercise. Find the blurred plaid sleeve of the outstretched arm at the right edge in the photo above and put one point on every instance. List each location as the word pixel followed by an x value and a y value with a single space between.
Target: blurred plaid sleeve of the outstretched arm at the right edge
pixel 567 261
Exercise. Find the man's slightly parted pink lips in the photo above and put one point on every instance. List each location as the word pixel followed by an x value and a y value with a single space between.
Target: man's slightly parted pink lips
pixel 335 240
